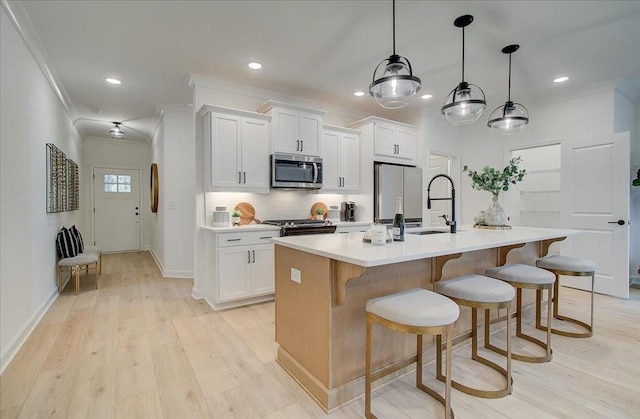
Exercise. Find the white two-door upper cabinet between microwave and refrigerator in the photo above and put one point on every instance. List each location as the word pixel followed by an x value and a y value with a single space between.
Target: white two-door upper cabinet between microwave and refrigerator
pixel 340 160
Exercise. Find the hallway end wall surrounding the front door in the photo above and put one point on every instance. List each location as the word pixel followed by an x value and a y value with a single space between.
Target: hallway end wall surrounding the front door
pixel 119 154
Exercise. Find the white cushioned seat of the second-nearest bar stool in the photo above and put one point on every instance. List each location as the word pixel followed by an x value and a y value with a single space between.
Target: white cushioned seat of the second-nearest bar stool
pixel 476 288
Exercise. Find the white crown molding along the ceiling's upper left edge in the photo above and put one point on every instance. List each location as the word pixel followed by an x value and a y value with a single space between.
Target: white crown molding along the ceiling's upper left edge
pixel 25 28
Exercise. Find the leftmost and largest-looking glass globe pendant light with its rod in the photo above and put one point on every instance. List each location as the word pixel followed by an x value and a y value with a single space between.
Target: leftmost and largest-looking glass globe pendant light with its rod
pixel 394 85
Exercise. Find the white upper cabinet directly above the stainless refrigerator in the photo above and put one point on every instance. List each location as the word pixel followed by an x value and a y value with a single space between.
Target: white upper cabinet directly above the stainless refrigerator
pixel 393 142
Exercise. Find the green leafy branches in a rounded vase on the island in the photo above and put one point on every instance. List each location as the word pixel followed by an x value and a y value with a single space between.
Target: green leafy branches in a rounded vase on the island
pixel 495 181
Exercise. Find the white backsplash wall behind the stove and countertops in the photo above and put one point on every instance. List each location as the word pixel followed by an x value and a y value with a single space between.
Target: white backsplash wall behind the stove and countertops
pixel 278 204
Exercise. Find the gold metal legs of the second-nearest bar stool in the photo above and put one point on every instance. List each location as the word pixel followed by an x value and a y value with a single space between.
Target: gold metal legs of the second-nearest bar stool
pixel 506 373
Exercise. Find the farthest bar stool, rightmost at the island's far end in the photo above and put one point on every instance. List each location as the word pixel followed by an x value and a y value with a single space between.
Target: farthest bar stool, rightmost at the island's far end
pixel 569 266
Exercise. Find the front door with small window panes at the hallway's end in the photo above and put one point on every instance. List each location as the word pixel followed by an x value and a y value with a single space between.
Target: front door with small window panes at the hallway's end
pixel 116 220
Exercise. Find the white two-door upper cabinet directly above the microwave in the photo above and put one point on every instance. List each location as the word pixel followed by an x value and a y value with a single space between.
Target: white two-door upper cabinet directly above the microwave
pixel 294 130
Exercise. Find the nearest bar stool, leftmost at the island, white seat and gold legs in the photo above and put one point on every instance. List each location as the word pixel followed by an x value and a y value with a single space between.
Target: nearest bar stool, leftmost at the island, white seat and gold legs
pixel 418 312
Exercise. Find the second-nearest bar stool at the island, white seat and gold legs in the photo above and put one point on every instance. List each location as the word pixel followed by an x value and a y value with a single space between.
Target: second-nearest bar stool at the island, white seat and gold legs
pixel 478 291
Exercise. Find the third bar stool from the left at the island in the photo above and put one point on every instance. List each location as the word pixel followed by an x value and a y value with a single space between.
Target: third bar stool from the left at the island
pixel 527 277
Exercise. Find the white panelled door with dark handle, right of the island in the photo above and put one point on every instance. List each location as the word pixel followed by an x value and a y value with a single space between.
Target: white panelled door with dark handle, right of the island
pixel 595 190
